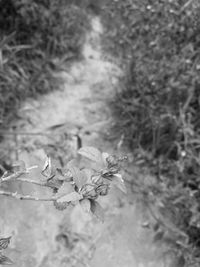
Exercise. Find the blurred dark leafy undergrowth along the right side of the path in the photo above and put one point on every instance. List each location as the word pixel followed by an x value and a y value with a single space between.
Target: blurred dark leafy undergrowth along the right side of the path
pixel 159 103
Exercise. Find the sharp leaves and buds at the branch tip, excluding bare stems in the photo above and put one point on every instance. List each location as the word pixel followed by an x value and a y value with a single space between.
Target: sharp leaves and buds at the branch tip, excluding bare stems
pixel 88 184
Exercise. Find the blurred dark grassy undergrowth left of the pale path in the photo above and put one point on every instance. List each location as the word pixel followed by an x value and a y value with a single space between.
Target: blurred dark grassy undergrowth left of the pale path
pixel 36 37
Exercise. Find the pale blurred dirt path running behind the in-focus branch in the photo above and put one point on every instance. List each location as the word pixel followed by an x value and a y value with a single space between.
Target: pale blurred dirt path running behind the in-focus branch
pixel 45 237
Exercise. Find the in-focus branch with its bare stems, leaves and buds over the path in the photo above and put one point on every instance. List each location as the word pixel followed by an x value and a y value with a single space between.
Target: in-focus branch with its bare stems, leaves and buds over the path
pixel 75 183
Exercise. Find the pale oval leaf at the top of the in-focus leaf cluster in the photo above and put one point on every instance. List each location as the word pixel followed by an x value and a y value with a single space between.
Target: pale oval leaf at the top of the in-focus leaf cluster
pixel 91 153
